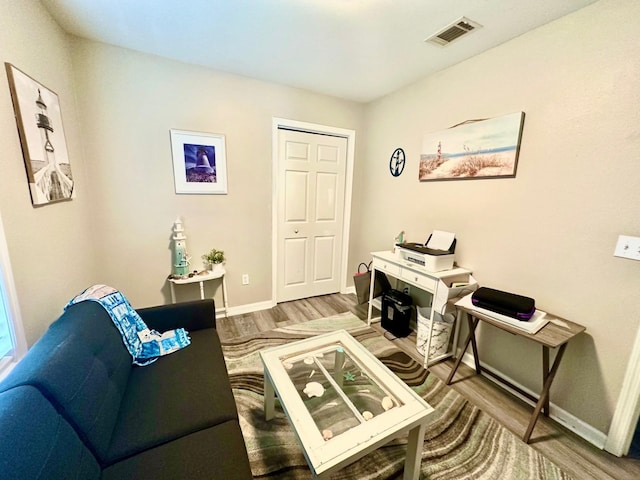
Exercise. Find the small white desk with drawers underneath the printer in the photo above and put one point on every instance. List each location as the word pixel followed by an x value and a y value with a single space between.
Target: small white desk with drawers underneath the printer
pixel 436 283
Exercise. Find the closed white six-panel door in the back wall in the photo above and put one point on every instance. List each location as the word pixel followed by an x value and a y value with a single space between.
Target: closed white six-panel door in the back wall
pixel 311 190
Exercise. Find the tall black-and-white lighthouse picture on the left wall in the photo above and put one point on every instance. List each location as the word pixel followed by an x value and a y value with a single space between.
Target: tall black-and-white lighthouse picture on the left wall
pixel 42 138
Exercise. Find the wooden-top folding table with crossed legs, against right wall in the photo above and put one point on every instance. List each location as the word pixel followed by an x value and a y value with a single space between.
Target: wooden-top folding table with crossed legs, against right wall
pixel 553 335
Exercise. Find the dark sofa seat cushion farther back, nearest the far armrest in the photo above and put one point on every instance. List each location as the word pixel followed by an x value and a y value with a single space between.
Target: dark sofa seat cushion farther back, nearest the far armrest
pixel 175 396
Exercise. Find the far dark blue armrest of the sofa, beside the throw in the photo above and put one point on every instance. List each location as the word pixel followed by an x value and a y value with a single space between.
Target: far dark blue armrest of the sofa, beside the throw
pixel 191 316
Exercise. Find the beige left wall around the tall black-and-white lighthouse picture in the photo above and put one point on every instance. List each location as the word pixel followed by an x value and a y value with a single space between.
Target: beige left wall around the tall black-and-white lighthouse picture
pixel 51 253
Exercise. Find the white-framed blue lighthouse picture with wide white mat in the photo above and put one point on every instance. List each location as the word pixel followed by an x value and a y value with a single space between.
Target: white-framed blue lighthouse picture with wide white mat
pixel 199 162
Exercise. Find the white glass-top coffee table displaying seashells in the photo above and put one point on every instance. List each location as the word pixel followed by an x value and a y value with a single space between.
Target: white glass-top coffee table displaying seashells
pixel 342 402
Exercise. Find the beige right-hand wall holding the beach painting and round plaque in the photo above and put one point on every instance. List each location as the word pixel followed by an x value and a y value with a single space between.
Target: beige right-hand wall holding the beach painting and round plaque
pixel 550 232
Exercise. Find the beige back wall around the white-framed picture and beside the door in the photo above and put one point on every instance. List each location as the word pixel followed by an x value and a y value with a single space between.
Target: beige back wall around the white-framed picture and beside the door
pixel 128 103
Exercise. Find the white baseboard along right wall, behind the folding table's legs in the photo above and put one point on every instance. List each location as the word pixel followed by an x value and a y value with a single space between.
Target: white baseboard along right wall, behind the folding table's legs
pixel 566 419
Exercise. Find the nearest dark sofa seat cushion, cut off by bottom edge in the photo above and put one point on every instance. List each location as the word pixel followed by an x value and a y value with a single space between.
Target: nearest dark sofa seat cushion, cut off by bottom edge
pixel 213 453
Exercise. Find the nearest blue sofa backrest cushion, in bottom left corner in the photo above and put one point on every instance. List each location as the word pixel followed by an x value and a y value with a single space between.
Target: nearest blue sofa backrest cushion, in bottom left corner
pixel 37 443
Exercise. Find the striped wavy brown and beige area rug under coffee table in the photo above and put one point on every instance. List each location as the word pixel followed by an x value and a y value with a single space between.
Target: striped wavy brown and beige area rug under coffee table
pixel 461 441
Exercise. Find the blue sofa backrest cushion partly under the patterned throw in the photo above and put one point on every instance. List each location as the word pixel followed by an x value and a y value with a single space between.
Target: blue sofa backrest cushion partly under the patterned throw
pixel 81 366
